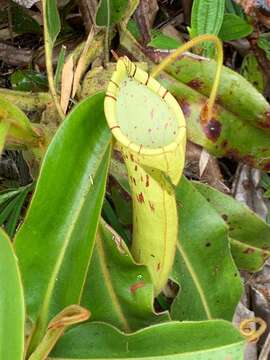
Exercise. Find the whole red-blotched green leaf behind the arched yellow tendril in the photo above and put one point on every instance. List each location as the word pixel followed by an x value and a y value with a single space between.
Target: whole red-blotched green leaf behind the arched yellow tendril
pixel 240 127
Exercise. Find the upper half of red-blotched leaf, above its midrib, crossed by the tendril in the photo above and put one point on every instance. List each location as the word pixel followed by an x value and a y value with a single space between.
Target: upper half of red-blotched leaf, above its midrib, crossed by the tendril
pixel 198 73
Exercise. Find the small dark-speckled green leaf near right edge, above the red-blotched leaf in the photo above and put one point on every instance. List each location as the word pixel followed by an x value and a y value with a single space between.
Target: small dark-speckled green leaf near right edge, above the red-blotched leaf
pixel 252 71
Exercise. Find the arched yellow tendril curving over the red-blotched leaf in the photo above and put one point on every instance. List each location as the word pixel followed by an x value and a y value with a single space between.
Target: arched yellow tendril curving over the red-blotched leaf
pixel 199 39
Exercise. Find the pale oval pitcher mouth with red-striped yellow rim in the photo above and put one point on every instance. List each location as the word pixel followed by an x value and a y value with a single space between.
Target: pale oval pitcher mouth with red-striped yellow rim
pixel 154 122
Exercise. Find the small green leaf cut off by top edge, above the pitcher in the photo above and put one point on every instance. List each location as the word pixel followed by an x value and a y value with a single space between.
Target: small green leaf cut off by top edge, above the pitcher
pixel 114 9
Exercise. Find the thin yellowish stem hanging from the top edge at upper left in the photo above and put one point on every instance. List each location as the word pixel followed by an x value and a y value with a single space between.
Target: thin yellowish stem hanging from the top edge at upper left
pixel 49 65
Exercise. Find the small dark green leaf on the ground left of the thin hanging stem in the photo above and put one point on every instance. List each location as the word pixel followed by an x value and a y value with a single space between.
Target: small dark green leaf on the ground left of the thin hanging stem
pixel 28 80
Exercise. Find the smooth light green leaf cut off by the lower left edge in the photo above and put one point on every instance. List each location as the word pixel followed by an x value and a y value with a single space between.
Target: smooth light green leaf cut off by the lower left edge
pixel 12 312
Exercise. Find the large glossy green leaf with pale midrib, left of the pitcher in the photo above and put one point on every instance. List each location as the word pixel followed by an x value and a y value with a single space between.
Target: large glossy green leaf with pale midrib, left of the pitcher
pixel 55 243
